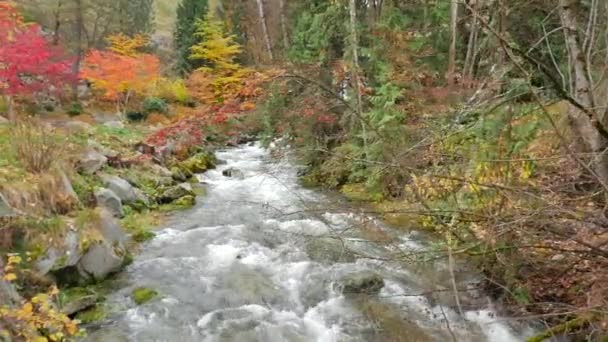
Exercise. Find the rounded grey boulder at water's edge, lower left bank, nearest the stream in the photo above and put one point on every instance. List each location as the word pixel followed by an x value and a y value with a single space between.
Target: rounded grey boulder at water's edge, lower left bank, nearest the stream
pixel 101 260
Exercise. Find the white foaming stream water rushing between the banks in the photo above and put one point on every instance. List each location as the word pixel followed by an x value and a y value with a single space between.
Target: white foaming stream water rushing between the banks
pixel 242 266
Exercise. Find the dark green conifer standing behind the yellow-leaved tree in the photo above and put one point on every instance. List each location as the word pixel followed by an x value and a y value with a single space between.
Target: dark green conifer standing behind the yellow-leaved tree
pixel 189 13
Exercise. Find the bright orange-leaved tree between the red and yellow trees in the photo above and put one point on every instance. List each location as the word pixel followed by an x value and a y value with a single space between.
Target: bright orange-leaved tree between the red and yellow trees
pixel 121 71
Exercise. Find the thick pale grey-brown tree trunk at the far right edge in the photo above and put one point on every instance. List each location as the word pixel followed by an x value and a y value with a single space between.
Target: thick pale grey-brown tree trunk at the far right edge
pixel 586 124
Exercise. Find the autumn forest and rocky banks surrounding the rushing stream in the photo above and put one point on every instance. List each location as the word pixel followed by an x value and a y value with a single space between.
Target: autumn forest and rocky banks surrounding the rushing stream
pixel 482 123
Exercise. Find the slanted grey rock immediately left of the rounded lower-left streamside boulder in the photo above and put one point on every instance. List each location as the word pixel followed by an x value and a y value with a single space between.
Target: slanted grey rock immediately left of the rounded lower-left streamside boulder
pixel 56 258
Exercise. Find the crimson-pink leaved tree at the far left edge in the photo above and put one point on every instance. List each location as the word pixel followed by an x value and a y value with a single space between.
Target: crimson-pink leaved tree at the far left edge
pixel 29 63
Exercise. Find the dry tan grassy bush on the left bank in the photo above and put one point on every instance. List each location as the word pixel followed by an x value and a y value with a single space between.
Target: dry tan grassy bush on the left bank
pixel 35 147
